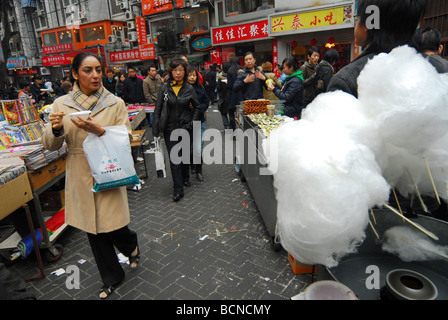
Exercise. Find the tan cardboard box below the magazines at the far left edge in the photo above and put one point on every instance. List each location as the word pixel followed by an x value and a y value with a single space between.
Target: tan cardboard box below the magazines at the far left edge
pixel 14 194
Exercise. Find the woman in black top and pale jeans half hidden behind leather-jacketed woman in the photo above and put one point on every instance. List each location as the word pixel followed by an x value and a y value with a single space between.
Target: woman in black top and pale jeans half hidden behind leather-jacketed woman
pixel 198 143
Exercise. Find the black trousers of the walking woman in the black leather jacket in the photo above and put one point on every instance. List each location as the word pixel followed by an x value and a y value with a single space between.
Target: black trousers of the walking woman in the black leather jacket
pixel 179 172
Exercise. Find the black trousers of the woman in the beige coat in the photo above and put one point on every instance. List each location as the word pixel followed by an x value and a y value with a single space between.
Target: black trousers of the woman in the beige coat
pixel 103 248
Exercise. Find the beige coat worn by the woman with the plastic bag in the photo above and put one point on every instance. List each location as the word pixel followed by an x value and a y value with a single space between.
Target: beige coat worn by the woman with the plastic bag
pixel 99 212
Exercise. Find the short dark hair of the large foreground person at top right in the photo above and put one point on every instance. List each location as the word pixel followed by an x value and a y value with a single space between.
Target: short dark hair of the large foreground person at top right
pixel 398 21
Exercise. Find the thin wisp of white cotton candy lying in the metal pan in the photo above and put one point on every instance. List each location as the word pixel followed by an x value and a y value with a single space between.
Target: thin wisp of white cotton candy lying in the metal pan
pixel 411 245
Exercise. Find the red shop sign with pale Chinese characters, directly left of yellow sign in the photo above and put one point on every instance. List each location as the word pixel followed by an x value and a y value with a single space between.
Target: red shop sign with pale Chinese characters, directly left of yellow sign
pixel 242 32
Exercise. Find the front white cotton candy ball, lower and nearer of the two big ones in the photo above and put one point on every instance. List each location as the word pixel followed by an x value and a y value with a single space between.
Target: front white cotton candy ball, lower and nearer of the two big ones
pixel 325 193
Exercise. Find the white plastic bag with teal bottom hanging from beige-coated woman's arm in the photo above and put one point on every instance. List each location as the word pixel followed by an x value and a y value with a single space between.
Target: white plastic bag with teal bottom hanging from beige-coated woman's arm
pixel 110 159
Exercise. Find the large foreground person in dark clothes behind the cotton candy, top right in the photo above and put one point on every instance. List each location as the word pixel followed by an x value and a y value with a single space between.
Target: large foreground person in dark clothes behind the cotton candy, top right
pixel 399 20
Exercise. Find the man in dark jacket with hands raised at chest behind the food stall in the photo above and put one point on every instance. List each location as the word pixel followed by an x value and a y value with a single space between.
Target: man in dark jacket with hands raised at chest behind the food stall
pixel 251 81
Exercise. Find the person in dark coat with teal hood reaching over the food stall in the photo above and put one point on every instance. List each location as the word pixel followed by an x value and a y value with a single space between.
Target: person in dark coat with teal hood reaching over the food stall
pixel 292 91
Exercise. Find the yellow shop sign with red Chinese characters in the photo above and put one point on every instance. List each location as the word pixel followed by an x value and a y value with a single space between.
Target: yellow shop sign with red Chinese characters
pixel 297 22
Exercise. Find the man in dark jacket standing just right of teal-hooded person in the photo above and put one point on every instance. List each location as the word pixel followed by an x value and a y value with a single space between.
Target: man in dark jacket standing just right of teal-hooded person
pixel 309 69
